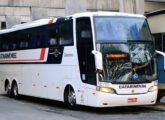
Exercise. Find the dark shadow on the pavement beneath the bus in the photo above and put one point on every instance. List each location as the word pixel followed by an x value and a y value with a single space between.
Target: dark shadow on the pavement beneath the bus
pixel 114 110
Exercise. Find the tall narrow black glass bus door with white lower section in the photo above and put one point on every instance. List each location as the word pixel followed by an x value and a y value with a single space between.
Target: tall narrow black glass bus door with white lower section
pixel 85 56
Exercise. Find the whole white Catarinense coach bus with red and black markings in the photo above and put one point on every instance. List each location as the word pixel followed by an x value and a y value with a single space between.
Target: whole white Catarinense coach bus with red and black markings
pixel 98 59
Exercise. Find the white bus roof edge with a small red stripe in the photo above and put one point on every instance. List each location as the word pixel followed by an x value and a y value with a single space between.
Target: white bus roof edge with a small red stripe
pixel 77 15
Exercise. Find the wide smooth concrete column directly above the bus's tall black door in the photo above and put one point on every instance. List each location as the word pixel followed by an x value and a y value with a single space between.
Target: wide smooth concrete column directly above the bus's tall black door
pixel 75 6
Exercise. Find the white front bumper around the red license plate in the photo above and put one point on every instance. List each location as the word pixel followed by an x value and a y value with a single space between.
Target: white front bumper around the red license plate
pixel 112 100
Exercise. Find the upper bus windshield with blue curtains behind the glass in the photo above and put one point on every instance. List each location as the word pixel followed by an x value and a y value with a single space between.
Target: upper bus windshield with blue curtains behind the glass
pixel 108 28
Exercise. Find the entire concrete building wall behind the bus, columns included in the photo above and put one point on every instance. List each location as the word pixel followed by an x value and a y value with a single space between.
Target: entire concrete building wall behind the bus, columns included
pixel 16 11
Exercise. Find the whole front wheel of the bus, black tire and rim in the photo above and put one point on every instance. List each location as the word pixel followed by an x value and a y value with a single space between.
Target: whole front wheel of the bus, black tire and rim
pixel 70 98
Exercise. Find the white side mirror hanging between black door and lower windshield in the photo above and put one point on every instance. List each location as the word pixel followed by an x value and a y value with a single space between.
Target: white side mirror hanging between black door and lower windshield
pixel 98 59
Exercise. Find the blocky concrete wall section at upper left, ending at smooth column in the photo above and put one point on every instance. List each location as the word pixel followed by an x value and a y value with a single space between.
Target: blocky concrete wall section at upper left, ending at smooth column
pixel 16 11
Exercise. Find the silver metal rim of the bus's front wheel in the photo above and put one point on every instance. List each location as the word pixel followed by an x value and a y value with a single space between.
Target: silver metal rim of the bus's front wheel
pixel 71 97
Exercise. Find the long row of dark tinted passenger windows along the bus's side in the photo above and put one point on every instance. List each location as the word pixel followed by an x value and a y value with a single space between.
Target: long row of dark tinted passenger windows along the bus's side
pixel 39 37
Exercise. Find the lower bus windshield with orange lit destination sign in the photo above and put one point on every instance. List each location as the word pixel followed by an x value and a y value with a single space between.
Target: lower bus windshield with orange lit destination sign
pixel 128 63
